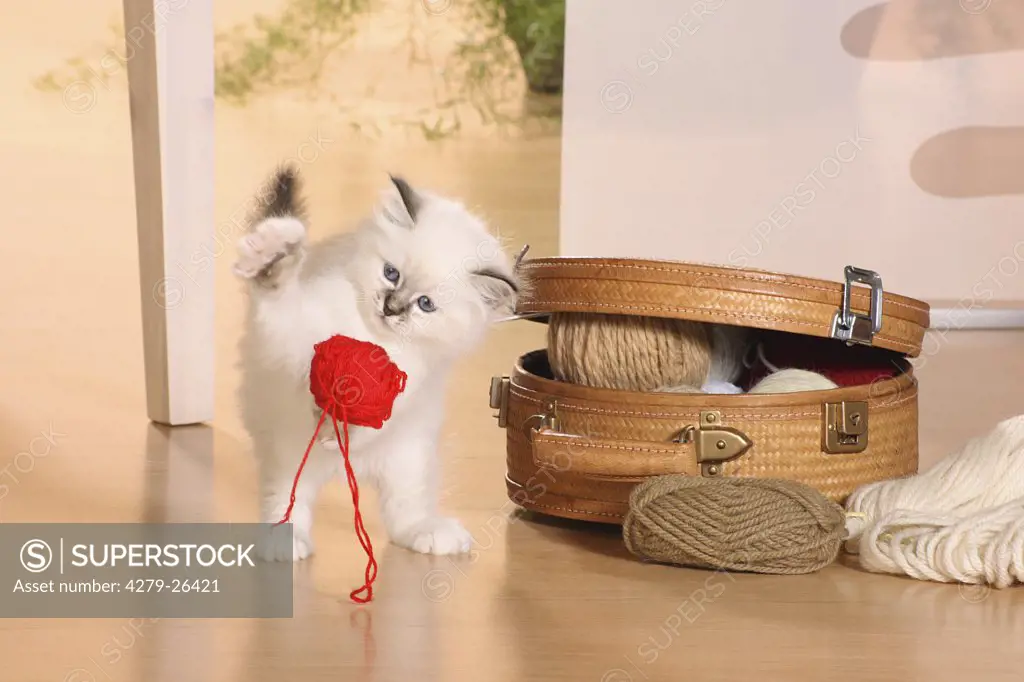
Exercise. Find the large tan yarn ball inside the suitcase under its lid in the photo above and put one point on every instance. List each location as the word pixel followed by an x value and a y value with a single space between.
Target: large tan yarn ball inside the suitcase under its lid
pixel 628 353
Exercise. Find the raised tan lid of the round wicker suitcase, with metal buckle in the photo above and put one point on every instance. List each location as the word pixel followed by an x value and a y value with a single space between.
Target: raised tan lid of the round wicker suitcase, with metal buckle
pixel 856 311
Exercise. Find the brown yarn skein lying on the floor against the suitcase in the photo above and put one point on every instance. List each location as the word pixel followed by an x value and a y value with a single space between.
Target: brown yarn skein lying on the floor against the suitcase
pixel 760 526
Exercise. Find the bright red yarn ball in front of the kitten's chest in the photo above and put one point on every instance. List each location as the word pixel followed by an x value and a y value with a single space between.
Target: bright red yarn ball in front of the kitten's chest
pixel 355 381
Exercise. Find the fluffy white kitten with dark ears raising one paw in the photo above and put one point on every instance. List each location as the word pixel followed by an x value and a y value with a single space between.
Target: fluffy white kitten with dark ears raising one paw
pixel 423 279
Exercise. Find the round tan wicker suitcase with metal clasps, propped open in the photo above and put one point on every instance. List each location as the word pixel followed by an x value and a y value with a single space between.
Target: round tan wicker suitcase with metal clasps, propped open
pixel 577 452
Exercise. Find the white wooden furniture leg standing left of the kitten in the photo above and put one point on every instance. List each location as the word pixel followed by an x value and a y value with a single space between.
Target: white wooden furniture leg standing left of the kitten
pixel 169 45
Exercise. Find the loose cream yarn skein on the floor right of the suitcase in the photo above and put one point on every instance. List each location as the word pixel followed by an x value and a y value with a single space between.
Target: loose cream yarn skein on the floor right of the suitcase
pixel 961 522
